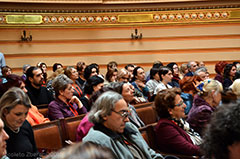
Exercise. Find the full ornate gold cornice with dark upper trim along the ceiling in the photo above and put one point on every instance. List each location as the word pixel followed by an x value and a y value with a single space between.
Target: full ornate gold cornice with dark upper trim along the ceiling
pixel 99 15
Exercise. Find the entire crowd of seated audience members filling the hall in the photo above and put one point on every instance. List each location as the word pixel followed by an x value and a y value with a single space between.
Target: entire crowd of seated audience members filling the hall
pixel 185 98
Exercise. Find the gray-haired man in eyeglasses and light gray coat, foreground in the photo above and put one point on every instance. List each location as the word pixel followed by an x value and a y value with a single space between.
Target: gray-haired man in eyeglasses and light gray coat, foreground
pixel 112 129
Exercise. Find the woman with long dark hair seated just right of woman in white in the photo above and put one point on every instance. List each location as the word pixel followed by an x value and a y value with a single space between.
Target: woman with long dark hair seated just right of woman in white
pixel 175 70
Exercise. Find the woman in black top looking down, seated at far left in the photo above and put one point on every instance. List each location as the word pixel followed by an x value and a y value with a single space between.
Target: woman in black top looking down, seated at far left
pixel 14 106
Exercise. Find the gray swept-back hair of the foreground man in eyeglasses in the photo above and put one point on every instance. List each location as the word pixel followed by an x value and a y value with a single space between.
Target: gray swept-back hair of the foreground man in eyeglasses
pixel 103 106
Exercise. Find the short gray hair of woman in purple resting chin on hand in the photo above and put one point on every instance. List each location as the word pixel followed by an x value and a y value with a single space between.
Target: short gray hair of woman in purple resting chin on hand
pixel 60 83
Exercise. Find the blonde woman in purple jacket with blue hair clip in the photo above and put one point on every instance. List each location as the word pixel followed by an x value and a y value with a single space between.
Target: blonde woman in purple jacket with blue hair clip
pixel 204 104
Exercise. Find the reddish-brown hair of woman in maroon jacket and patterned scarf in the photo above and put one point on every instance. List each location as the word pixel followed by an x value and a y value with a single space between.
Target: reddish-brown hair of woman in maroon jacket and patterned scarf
pixel 164 100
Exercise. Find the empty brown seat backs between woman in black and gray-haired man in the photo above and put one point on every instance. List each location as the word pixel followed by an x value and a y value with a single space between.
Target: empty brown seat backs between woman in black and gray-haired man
pixel 52 136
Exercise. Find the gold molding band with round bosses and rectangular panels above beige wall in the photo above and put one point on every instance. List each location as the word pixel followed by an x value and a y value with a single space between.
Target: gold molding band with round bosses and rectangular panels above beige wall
pixel 120 18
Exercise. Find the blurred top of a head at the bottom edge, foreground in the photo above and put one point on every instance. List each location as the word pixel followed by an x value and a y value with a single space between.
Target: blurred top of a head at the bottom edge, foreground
pixel 85 150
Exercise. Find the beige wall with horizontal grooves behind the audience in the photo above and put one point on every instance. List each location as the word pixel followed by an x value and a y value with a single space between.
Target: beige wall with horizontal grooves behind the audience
pixel 179 43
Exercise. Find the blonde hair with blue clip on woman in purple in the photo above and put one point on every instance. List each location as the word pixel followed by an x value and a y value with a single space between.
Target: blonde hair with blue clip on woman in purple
pixel 209 85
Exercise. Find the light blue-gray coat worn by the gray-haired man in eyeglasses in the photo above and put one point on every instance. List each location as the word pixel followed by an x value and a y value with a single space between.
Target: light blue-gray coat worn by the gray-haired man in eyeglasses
pixel 105 137
